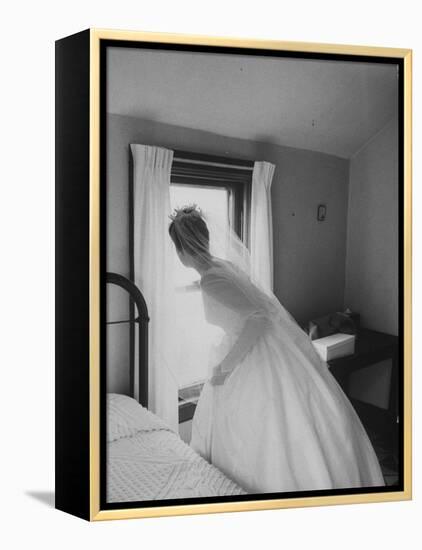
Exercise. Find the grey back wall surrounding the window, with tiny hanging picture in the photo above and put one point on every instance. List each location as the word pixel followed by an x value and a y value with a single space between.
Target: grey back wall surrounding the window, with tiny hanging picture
pixel 309 256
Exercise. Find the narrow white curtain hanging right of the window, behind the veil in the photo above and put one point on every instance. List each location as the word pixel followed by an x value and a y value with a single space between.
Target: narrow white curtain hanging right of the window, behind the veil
pixel 261 225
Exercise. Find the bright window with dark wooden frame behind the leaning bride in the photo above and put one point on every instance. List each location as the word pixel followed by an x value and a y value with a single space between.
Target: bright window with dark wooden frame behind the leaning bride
pixel 222 187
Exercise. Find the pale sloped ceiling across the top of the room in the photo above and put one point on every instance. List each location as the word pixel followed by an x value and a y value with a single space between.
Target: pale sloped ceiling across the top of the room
pixel 328 106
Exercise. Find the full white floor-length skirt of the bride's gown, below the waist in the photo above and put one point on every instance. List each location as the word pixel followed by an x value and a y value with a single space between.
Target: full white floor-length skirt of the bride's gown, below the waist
pixel 281 423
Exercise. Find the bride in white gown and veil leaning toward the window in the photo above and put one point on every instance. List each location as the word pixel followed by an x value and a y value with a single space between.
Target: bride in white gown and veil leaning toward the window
pixel 271 416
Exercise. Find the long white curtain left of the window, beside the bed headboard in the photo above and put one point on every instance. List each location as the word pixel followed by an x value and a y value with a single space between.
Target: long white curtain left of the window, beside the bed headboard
pixel 153 257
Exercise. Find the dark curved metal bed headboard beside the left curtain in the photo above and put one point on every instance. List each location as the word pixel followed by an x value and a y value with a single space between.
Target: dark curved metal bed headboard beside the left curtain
pixel 137 299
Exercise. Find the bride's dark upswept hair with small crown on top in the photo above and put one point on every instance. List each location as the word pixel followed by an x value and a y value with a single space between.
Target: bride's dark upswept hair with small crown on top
pixel 189 232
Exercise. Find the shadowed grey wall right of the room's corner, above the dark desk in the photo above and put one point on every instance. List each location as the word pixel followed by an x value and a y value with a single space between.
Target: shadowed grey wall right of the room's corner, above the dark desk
pixel 372 238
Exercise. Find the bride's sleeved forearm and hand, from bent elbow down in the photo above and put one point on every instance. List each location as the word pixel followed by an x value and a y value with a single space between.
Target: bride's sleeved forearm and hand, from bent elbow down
pixel 255 326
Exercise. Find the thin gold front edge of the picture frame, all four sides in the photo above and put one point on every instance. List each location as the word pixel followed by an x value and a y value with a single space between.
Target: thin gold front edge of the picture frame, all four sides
pixel 94 322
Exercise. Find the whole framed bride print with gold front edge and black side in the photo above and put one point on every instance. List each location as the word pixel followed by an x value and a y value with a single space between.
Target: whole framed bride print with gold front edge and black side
pixel 233 275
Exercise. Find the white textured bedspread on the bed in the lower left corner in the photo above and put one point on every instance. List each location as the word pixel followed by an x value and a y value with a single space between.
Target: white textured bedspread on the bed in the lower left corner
pixel 148 461
